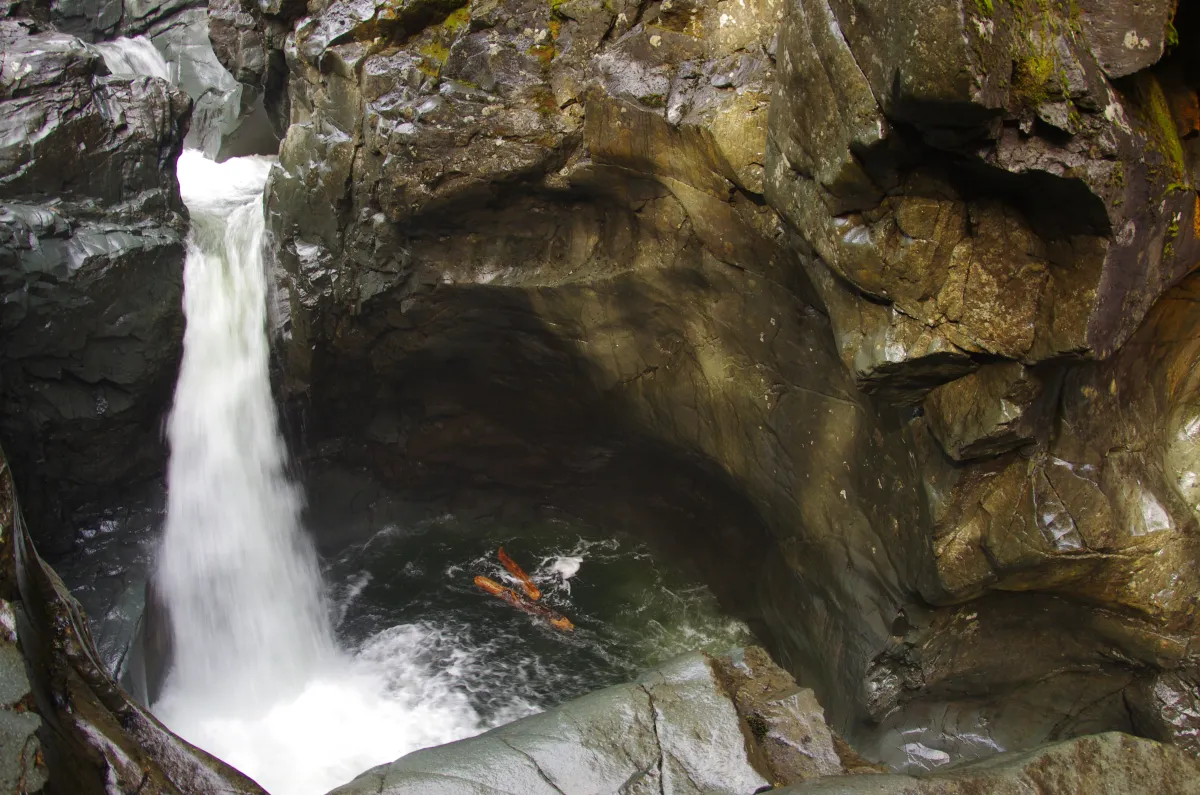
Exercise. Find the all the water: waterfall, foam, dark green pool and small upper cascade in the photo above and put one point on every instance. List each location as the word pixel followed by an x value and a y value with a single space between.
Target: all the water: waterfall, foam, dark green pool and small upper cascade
pixel 304 677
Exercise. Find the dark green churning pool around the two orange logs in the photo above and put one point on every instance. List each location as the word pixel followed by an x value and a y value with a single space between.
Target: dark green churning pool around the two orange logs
pixel 412 588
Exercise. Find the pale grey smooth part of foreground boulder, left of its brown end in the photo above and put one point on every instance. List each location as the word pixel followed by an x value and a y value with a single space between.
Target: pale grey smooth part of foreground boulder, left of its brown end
pixel 674 732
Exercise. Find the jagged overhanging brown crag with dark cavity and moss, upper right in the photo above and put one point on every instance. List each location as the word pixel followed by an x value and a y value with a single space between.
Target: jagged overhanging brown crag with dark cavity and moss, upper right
pixel 976 170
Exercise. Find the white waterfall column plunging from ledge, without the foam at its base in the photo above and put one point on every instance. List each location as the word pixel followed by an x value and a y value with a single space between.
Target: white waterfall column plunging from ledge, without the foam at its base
pixel 236 569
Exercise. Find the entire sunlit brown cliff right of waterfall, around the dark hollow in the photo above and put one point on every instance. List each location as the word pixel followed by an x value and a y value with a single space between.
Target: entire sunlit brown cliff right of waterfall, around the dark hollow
pixel 719 226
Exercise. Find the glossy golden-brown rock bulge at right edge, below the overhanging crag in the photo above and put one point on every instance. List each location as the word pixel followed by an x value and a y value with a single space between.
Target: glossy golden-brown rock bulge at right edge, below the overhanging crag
pixel 1103 511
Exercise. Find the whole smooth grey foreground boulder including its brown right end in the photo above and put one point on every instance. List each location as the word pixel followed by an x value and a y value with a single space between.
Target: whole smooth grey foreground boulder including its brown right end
pixel 689 727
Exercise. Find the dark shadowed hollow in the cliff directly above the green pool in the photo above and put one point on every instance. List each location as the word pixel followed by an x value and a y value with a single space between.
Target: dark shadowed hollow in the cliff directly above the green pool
pixel 477 407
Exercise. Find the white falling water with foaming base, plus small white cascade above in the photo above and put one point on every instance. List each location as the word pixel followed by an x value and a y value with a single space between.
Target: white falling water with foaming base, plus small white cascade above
pixel 256 676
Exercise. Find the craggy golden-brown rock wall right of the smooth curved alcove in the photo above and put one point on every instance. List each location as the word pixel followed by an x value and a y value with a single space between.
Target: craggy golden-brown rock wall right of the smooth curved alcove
pixel 980 224
